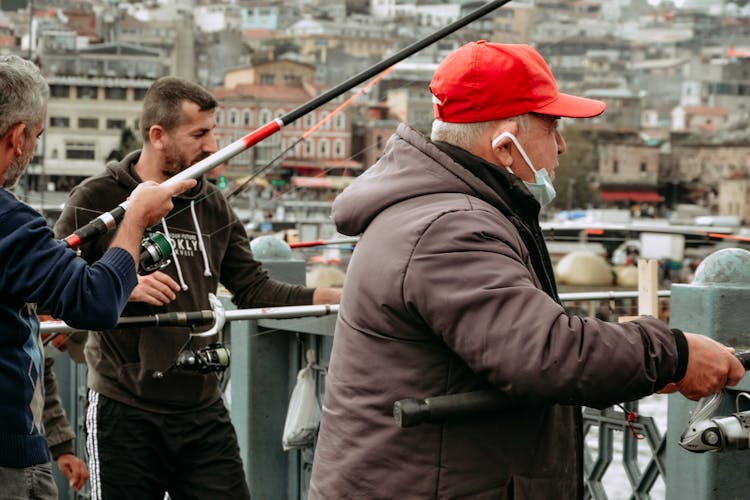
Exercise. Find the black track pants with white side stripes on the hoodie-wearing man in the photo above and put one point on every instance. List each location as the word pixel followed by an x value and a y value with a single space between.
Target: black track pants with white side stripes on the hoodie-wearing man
pixel 140 454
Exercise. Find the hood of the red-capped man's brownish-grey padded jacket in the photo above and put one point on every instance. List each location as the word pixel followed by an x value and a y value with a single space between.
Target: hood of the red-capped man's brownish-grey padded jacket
pixel 411 166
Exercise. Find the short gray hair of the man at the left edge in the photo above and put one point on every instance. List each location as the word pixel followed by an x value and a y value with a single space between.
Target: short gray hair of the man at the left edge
pixel 23 94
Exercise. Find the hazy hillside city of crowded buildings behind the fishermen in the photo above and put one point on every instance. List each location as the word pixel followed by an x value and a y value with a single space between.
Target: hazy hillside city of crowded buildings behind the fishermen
pixel 675 77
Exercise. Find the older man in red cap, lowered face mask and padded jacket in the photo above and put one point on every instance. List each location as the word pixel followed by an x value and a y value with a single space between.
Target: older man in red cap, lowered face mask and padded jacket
pixel 451 290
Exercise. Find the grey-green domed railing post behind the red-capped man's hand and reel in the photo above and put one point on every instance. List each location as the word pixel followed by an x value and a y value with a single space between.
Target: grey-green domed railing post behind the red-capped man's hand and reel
pixel 715 304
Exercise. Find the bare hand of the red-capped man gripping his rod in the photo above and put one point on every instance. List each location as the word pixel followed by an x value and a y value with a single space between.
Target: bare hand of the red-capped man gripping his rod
pixel 711 367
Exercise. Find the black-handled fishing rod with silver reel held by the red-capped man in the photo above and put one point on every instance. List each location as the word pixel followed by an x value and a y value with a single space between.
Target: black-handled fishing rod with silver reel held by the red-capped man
pixel 410 412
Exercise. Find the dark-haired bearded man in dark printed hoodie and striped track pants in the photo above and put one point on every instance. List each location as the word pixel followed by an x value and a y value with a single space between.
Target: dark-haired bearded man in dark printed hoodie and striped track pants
pixel 153 428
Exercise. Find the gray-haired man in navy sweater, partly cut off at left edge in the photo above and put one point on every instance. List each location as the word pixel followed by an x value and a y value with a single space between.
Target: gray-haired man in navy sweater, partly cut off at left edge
pixel 38 270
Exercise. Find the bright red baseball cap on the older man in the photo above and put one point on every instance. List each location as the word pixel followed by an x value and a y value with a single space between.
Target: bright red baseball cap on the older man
pixel 484 81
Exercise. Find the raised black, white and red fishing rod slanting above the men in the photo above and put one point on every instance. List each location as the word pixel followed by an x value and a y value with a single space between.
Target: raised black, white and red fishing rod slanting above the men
pixel 109 220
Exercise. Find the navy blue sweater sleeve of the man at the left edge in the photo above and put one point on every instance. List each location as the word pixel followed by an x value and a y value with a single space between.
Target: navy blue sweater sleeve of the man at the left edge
pixel 42 270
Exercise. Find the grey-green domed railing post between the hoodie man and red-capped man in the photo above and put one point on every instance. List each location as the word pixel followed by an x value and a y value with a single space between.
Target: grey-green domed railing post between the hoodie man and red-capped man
pixel 263 369
